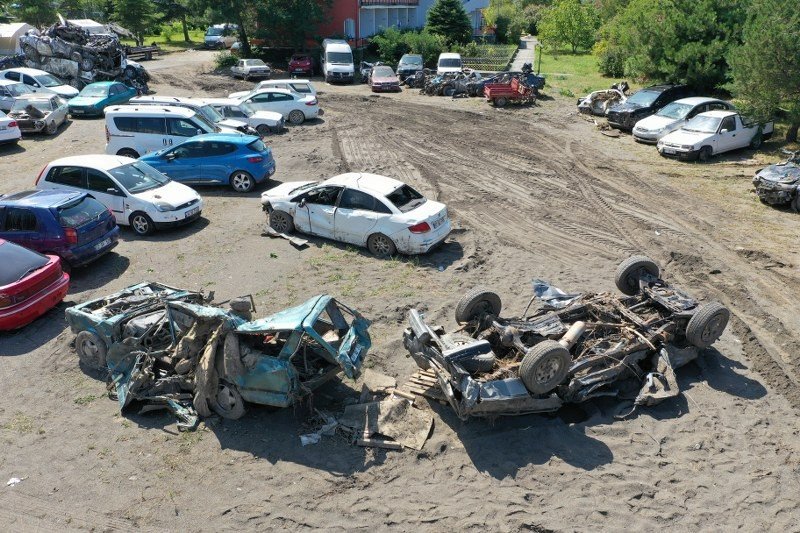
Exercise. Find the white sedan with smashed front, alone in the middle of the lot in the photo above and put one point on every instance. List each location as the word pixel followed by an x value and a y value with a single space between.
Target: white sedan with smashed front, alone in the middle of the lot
pixel 383 214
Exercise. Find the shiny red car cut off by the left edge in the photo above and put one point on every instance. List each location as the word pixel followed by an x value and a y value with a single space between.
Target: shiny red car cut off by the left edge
pixel 30 285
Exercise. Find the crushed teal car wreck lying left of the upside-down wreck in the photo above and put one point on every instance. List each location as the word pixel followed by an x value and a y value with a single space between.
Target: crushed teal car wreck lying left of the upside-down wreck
pixel 170 348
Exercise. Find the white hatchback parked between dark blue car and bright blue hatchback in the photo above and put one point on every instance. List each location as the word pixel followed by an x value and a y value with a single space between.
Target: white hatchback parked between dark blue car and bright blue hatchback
pixel 136 194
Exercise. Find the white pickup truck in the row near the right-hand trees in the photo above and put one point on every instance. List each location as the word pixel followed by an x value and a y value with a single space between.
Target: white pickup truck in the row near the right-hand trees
pixel 712 133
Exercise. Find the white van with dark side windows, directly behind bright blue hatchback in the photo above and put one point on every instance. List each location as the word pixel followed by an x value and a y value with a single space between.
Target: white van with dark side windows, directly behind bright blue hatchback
pixel 133 131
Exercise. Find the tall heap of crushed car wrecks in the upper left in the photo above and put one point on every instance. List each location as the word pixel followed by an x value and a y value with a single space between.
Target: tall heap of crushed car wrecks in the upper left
pixel 80 58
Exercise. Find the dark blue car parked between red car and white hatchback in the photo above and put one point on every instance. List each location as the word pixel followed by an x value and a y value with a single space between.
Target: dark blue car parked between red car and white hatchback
pixel 71 225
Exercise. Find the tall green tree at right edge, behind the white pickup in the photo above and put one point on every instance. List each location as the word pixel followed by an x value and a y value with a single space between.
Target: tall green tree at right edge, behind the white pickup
pixel 766 67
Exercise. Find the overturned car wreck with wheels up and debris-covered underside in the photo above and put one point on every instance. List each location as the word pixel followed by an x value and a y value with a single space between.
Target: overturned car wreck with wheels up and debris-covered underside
pixel 573 347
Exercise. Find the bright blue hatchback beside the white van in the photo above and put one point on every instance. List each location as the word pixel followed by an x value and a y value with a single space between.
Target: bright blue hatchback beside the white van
pixel 240 161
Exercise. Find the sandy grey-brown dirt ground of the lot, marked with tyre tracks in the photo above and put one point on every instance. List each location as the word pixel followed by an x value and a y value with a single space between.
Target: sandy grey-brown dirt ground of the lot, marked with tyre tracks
pixel 534 193
